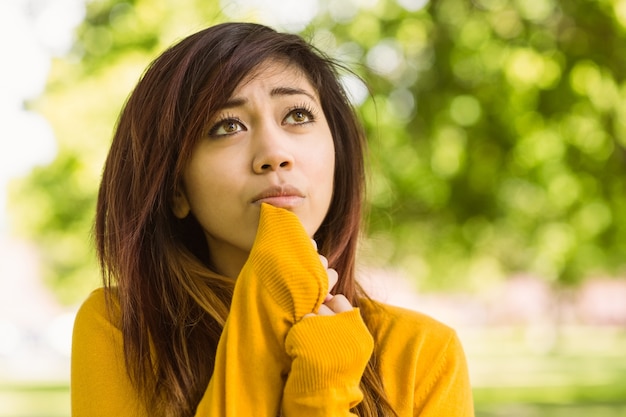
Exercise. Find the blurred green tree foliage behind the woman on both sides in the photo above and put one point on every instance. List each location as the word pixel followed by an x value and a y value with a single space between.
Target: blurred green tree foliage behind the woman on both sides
pixel 497 132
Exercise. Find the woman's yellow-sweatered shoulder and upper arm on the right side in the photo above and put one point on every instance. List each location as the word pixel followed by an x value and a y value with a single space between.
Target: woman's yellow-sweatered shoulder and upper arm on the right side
pixel 420 359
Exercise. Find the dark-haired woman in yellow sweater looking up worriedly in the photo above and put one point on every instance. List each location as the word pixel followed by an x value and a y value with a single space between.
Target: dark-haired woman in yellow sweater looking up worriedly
pixel 237 147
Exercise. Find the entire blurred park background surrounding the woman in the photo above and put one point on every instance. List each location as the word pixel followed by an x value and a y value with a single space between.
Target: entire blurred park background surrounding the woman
pixel 497 189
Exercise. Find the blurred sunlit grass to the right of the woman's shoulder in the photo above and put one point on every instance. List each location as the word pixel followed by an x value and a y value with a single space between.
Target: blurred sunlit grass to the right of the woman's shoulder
pixel 549 373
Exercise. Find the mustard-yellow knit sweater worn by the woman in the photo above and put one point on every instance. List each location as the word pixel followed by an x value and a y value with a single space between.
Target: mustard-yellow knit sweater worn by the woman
pixel 271 360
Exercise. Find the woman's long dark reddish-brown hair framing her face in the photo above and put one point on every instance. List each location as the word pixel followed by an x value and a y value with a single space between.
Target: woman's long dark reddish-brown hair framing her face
pixel 172 305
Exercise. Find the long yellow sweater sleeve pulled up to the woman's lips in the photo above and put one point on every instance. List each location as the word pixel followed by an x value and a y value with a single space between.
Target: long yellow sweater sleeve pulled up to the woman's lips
pixel 282 281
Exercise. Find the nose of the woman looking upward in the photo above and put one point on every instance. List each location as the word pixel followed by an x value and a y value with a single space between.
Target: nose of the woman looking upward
pixel 272 153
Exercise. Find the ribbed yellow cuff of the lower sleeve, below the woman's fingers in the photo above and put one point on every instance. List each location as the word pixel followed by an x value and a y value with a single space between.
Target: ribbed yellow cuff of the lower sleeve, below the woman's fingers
pixel 328 351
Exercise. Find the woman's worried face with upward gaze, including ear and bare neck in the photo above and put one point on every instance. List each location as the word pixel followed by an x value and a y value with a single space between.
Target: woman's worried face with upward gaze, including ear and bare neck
pixel 270 143
